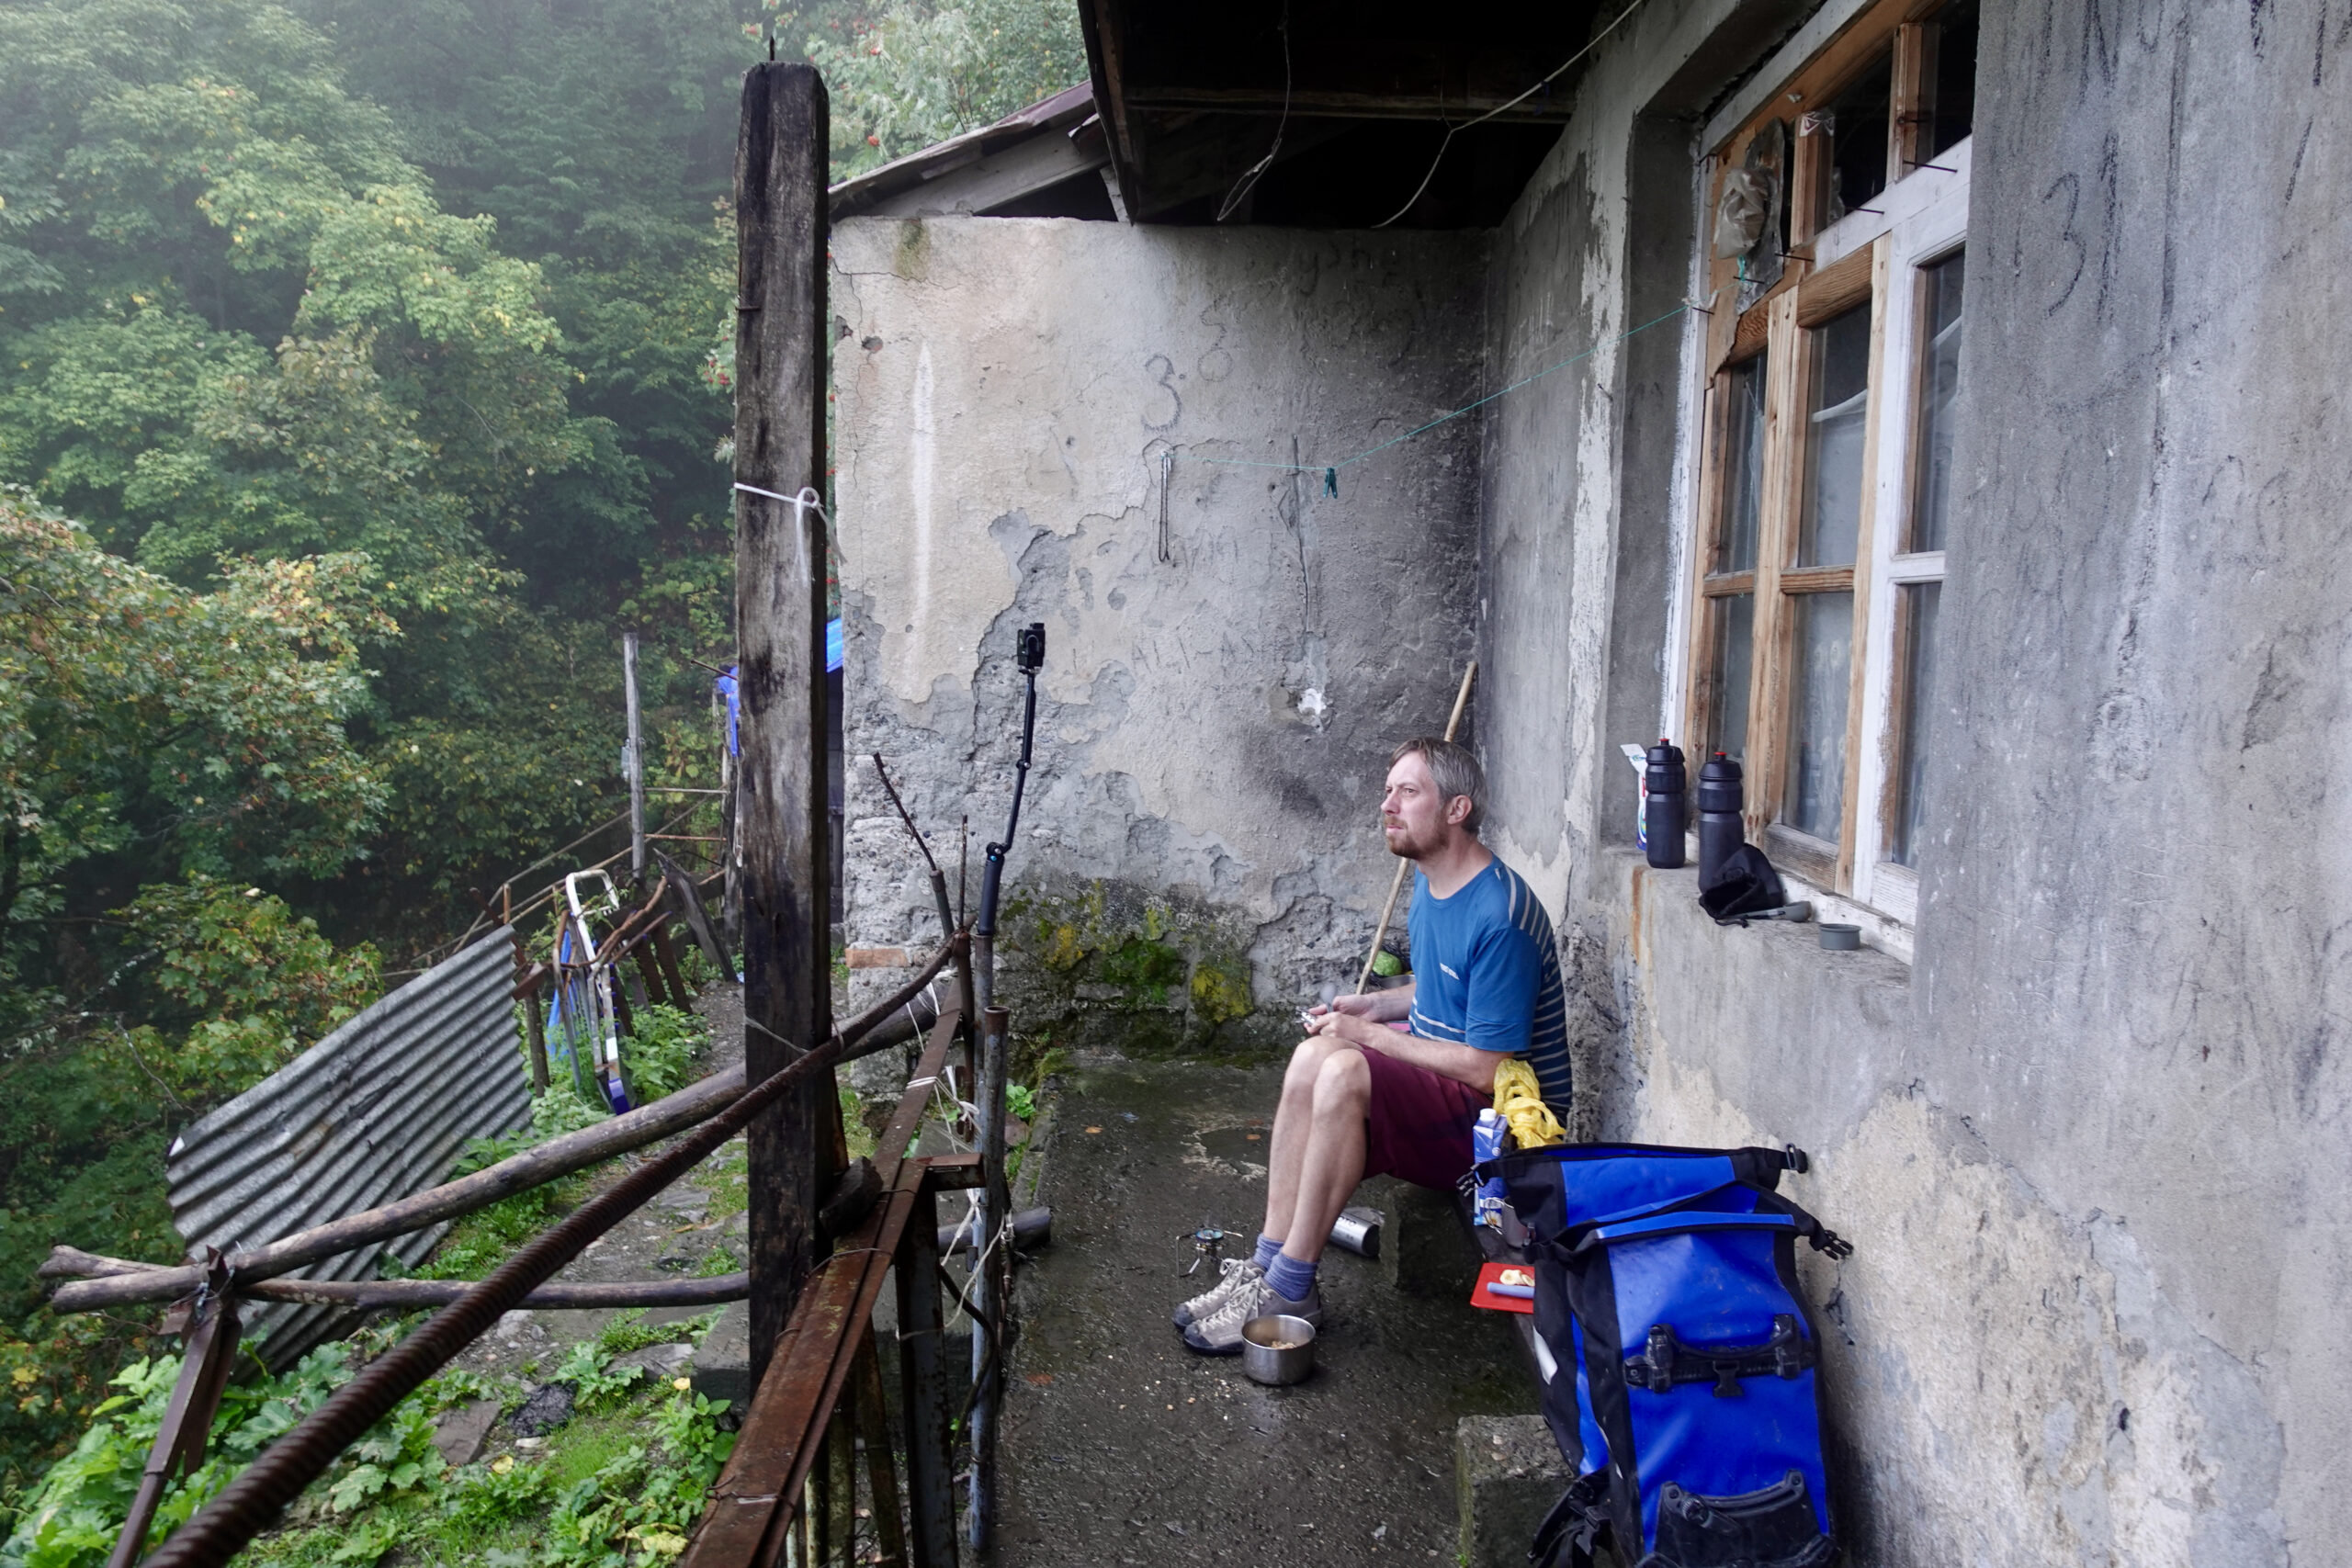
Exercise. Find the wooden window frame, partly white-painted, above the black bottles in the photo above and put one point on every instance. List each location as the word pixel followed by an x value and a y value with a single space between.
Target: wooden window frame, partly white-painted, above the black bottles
pixel 1871 257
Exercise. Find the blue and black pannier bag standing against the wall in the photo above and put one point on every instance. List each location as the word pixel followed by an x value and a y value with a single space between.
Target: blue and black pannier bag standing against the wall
pixel 1678 1355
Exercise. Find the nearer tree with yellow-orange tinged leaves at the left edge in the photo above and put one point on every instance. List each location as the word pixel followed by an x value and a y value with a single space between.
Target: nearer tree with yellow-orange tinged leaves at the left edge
pixel 168 732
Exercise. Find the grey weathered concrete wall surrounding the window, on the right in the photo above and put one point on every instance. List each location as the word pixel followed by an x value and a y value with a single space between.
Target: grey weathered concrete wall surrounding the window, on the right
pixel 2090 1146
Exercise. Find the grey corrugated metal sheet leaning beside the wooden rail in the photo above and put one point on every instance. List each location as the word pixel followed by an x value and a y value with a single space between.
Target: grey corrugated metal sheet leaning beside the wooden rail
pixel 368 1115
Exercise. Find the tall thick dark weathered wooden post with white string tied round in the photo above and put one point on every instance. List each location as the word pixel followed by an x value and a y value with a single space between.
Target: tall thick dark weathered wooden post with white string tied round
pixel 782 669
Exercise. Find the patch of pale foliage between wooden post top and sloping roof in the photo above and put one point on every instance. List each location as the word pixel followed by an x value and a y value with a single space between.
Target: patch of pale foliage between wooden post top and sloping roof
pixel 914 72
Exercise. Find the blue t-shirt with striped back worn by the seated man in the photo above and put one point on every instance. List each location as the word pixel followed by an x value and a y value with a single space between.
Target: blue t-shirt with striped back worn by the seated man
pixel 1488 974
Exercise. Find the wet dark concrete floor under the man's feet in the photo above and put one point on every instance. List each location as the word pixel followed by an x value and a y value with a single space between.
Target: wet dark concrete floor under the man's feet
pixel 1123 1447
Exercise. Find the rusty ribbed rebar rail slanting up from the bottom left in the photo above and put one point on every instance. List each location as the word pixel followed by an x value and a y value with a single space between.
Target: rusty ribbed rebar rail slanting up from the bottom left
pixel 272 1482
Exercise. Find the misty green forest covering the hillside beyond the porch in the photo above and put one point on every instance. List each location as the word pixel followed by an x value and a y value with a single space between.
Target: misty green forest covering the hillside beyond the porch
pixel 363 377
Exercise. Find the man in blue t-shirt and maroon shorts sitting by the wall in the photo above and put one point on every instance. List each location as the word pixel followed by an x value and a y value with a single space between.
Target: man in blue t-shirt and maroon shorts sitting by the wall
pixel 1394 1083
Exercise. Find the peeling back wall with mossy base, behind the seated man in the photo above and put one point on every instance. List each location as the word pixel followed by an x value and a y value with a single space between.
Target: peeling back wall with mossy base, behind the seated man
pixel 1220 697
